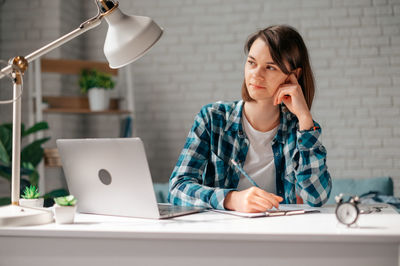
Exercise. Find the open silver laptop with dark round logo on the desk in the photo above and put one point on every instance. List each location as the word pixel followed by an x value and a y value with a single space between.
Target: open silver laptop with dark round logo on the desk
pixel 112 177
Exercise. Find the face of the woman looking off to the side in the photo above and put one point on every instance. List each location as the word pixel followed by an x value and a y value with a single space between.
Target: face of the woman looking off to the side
pixel 262 75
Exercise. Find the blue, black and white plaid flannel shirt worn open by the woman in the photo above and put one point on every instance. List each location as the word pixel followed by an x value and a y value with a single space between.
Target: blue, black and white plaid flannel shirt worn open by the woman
pixel 203 175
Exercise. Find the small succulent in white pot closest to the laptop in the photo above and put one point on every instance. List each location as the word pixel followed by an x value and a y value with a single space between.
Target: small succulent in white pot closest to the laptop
pixel 64 209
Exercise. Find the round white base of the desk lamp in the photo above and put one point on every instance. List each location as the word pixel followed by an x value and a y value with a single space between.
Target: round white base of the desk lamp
pixel 12 215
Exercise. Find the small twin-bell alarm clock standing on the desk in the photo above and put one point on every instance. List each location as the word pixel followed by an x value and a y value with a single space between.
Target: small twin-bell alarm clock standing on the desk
pixel 347 212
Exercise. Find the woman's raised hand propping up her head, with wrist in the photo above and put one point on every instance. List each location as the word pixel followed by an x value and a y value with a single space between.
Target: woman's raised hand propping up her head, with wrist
pixel 292 96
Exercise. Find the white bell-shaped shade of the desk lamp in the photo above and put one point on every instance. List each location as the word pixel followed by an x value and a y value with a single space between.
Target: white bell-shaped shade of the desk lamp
pixel 128 37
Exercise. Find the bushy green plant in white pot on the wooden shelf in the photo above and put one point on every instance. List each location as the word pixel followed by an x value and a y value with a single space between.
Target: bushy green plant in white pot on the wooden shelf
pixel 96 85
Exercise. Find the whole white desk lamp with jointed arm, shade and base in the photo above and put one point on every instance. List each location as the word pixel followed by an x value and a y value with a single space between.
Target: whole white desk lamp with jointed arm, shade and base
pixel 128 38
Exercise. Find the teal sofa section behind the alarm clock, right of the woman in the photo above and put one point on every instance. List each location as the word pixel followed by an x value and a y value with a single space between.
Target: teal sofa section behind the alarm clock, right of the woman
pixel 383 185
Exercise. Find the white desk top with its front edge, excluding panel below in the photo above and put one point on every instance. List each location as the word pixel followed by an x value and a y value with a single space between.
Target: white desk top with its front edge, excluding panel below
pixel 373 228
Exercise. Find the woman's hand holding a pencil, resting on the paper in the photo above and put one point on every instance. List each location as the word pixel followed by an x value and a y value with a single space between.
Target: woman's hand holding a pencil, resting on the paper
pixel 252 199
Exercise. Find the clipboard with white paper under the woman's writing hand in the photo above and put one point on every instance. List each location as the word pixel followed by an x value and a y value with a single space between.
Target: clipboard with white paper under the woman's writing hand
pixel 284 210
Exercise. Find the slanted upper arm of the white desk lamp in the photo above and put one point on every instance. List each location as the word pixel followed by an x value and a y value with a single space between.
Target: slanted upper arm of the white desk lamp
pixel 89 24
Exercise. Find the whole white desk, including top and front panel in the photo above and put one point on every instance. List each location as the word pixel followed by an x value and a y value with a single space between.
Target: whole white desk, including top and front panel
pixel 207 238
